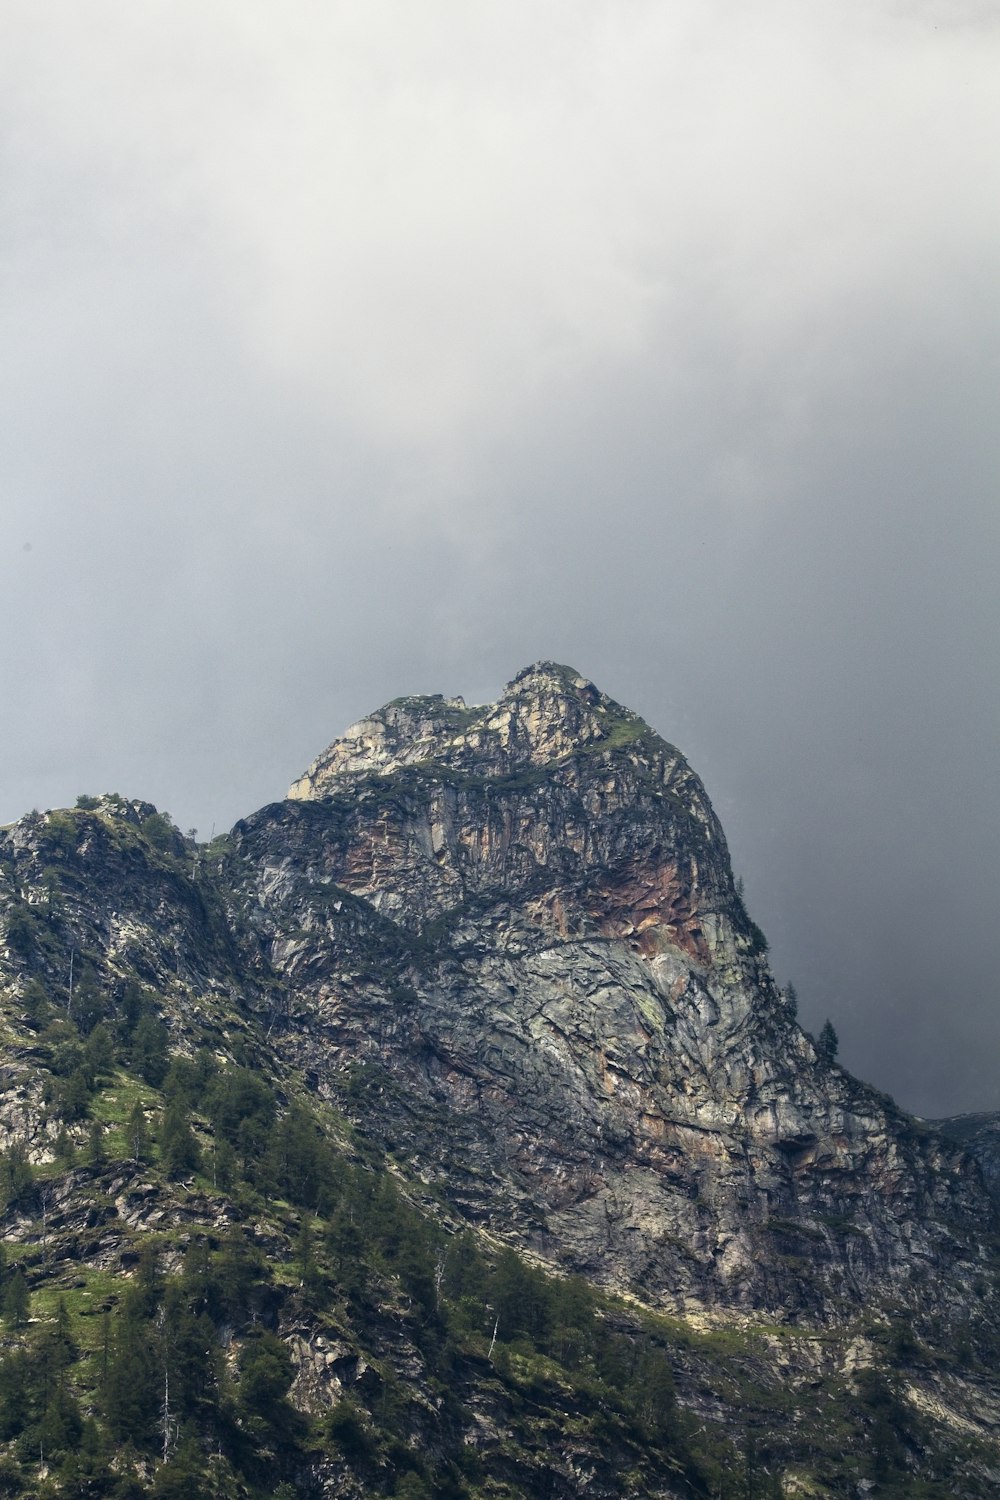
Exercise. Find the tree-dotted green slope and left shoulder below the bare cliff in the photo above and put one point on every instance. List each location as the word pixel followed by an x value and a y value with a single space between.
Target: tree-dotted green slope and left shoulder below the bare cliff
pixel 209 1285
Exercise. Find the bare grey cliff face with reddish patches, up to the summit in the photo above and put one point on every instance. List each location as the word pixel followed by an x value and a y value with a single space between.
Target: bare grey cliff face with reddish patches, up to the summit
pixel 513 932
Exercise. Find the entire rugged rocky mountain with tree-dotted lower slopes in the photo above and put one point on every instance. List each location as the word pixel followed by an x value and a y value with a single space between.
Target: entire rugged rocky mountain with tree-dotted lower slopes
pixel 472 1052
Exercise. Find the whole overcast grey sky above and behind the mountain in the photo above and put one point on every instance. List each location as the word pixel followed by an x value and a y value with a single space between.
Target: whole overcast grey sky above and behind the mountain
pixel 361 349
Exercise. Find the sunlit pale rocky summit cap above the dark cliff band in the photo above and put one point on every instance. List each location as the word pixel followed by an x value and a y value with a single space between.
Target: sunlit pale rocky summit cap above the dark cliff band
pixel 548 712
